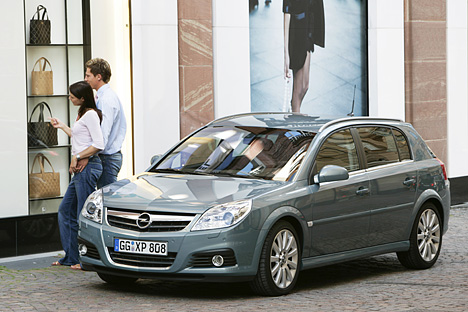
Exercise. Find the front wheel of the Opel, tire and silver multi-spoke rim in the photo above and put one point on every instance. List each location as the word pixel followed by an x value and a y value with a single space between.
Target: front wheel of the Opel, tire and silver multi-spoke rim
pixel 280 257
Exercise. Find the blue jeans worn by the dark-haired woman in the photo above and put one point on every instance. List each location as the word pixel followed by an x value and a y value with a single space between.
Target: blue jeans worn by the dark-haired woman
pixel 81 185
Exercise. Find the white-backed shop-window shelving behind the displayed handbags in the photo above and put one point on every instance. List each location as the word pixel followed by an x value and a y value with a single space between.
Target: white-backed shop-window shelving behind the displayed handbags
pixel 67 52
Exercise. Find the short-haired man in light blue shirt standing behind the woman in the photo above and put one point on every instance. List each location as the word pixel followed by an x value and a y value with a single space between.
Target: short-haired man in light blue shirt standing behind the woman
pixel 113 124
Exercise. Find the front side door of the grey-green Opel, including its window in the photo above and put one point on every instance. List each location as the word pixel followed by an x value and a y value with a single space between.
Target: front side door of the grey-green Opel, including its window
pixel 340 208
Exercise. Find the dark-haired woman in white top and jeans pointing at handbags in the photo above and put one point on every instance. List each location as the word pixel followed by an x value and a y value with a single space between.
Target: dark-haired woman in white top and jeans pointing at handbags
pixel 86 140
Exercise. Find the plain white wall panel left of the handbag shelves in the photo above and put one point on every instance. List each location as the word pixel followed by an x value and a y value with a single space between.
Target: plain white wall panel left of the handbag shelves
pixel 13 152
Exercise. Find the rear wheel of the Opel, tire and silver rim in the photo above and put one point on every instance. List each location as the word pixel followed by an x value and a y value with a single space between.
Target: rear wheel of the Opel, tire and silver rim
pixel 425 240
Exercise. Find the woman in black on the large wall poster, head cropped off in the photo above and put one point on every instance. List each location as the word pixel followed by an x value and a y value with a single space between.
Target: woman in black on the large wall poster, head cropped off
pixel 304 27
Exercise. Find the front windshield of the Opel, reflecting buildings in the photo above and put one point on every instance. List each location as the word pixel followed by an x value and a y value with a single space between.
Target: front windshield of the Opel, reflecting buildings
pixel 249 152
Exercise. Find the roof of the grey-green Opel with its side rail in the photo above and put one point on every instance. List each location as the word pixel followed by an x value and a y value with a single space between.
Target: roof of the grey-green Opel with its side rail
pixel 295 121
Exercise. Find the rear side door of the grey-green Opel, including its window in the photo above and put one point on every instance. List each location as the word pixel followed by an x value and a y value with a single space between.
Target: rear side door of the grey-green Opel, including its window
pixel 393 181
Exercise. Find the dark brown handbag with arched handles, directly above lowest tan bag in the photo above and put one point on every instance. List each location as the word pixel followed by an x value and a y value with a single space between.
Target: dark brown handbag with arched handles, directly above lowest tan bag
pixel 41 133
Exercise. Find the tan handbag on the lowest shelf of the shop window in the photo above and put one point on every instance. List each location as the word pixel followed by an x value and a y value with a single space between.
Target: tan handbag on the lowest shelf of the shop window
pixel 43 184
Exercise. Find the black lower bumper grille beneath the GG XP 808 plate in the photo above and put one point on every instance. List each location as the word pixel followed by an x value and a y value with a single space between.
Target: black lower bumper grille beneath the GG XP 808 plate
pixel 137 260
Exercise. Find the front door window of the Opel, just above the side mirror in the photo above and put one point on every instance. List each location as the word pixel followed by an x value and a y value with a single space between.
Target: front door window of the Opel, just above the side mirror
pixel 338 149
